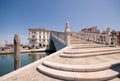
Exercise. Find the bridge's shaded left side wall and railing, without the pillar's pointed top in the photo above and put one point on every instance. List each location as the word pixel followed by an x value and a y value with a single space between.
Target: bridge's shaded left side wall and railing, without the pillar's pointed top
pixel 60 39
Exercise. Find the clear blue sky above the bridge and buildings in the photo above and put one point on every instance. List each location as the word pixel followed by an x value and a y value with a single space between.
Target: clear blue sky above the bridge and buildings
pixel 17 16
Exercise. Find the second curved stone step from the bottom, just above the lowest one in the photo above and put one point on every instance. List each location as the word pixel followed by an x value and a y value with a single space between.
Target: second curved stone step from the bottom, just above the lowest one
pixel 80 68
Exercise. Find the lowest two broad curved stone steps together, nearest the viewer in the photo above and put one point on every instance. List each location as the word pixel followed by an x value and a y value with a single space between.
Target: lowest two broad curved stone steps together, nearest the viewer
pixel 76 73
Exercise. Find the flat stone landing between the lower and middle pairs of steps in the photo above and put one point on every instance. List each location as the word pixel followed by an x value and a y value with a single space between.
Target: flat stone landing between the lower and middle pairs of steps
pixel 86 60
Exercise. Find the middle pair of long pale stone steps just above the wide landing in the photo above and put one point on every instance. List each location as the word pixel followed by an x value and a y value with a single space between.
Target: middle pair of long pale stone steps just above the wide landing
pixel 77 54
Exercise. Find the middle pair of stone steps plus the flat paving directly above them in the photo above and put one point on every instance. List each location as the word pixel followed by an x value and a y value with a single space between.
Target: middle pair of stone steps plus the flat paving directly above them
pixel 80 53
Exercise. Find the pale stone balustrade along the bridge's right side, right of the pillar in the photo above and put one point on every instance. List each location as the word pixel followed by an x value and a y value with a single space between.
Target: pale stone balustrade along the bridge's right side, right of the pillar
pixel 95 37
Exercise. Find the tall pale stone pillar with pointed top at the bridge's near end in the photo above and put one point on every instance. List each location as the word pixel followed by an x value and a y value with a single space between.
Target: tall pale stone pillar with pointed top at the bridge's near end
pixel 67 33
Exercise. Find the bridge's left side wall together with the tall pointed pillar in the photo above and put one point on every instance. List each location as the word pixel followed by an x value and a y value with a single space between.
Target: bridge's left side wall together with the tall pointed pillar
pixel 61 39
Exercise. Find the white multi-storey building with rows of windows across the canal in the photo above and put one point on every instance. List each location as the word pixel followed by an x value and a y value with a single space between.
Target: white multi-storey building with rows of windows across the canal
pixel 38 37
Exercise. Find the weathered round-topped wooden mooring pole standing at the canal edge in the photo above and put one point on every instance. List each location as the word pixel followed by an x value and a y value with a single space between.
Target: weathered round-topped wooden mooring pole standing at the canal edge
pixel 16 52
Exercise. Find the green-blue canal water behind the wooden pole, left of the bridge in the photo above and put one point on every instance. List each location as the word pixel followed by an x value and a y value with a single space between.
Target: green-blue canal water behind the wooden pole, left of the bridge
pixel 7 60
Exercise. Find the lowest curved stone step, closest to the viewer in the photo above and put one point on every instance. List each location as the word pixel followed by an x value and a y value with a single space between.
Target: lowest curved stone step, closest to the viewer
pixel 78 76
